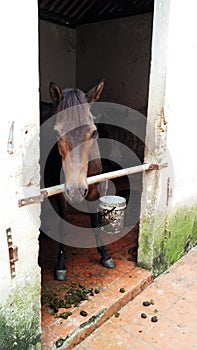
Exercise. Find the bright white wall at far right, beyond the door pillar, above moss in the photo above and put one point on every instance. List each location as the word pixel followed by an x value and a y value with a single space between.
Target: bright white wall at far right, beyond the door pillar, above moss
pixel 180 100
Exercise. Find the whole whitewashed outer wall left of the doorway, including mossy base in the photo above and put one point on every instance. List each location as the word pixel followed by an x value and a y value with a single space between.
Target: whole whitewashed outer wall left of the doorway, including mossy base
pixel 19 295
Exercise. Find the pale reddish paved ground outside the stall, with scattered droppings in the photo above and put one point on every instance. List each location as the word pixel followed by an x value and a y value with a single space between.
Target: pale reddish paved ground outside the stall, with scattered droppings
pixel 174 303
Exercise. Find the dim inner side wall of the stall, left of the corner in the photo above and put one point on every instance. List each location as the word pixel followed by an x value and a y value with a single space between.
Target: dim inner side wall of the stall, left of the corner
pixel 57 57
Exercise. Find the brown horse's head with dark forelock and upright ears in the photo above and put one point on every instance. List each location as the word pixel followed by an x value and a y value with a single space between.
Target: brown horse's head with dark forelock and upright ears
pixel 76 135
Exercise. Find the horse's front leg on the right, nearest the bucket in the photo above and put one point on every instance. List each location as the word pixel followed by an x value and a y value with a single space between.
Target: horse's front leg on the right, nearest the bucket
pixel 106 259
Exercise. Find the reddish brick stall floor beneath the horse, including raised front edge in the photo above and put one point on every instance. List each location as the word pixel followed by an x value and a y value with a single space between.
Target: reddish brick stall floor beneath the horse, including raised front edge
pixel 84 269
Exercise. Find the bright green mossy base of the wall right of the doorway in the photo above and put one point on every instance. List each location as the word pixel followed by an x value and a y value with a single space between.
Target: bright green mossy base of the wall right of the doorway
pixel 163 241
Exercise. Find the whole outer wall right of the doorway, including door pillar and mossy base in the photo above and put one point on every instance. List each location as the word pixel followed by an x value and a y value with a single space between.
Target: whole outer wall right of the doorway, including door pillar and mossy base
pixel 169 206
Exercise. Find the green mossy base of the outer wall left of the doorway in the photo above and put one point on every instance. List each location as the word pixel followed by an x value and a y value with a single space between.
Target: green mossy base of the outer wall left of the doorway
pixel 20 320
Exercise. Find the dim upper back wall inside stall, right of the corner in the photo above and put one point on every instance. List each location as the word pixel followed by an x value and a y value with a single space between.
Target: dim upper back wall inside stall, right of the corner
pixel 119 51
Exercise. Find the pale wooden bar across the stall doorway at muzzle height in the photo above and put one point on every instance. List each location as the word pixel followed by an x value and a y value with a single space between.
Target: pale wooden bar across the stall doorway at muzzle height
pixel 51 191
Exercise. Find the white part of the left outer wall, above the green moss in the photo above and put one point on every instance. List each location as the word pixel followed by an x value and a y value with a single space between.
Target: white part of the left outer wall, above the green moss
pixel 19 93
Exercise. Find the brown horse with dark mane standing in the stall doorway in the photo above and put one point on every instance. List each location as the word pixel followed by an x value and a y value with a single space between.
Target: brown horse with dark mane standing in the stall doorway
pixel 75 151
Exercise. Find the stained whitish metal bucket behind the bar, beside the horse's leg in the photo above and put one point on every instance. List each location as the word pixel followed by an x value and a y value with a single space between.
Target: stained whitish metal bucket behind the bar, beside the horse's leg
pixel 111 213
